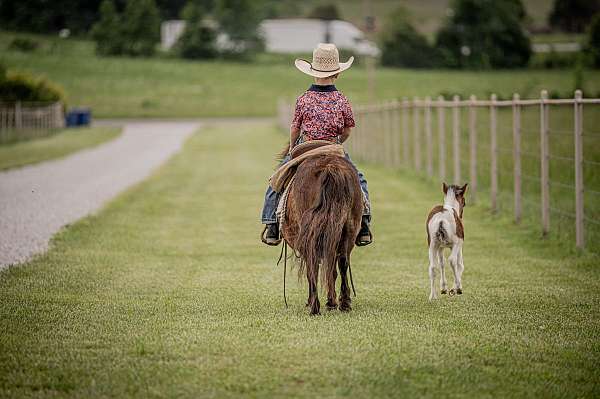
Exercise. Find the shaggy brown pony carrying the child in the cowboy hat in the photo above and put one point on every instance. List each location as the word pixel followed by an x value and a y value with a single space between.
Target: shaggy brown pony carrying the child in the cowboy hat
pixel 324 210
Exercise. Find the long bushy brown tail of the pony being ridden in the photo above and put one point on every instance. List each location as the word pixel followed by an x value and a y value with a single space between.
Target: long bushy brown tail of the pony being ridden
pixel 322 224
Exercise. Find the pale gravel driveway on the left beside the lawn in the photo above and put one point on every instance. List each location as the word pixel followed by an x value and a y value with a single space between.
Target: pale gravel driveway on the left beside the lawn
pixel 36 201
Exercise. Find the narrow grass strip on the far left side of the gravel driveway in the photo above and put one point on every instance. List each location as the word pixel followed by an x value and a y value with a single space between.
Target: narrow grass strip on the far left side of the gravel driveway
pixel 57 145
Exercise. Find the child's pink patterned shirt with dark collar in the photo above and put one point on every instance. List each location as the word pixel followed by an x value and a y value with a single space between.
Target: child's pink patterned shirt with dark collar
pixel 322 113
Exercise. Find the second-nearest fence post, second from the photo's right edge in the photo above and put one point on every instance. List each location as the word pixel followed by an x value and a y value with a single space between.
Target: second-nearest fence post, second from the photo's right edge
pixel 544 167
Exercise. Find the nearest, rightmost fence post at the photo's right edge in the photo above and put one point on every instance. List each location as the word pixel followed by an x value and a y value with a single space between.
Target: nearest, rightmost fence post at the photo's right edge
pixel 579 227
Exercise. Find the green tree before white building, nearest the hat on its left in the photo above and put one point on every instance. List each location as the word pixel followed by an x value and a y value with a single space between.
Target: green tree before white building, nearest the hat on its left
pixel 239 19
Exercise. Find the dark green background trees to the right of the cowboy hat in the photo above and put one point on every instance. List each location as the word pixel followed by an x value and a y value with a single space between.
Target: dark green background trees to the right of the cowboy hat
pixel 484 34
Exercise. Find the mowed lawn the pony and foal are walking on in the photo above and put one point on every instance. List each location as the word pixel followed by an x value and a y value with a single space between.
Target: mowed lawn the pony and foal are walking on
pixel 168 292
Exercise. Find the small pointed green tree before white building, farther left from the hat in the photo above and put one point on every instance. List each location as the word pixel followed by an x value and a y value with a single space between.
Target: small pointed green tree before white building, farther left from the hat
pixel 197 40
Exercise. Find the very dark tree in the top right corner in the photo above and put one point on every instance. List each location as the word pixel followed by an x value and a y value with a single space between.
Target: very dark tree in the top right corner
pixel 573 15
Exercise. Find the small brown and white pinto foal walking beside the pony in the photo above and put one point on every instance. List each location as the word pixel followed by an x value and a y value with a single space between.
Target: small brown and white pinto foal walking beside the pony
pixel 445 230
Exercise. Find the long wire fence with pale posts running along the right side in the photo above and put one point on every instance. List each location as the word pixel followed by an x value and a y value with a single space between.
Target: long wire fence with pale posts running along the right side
pixel 527 156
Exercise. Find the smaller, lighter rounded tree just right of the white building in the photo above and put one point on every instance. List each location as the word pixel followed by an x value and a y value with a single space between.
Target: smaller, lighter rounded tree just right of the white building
pixel 403 46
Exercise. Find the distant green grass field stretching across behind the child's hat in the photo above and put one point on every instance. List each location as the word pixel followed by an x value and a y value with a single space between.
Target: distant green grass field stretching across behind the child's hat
pixel 163 87
